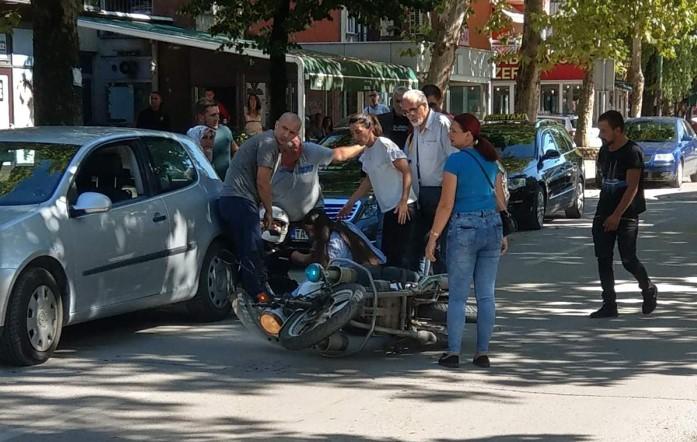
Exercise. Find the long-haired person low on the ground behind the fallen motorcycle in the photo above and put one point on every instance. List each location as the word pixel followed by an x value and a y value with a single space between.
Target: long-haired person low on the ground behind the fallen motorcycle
pixel 336 239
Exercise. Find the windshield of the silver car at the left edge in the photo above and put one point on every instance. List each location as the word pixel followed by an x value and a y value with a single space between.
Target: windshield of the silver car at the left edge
pixel 30 172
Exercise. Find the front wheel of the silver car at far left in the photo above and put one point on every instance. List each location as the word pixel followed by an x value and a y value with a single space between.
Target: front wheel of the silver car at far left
pixel 34 319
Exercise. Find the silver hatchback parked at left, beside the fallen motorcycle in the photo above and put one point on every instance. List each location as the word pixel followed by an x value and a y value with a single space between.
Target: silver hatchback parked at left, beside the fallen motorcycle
pixel 96 222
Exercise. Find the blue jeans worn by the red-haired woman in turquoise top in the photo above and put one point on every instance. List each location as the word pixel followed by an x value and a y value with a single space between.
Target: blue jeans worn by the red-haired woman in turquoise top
pixel 474 250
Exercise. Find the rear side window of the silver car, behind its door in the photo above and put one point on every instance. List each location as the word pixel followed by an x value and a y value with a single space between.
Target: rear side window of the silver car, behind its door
pixel 170 164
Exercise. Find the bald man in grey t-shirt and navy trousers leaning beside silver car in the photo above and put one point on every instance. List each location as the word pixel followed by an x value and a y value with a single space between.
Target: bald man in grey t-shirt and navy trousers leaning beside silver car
pixel 247 184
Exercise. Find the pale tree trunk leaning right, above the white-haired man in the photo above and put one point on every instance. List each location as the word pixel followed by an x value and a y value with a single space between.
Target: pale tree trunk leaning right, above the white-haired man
pixel 447 28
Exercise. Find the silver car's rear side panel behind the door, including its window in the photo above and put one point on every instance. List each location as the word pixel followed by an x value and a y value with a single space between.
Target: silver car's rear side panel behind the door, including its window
pixel 175 180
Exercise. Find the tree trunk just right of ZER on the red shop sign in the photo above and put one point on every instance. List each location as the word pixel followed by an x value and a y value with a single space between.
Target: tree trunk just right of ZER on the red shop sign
pixel 528 82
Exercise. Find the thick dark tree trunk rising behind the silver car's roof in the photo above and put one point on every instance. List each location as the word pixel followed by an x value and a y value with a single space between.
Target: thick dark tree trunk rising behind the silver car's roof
pixel 56 53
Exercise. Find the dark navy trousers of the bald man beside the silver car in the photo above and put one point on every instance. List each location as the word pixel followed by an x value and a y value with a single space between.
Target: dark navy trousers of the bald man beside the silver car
pixel 241 221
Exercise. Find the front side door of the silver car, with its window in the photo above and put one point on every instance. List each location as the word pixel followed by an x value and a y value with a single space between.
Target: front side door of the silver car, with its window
pixel 120 255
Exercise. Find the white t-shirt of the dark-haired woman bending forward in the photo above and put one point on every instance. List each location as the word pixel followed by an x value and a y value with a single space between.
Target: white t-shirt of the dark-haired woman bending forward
pixel 377 162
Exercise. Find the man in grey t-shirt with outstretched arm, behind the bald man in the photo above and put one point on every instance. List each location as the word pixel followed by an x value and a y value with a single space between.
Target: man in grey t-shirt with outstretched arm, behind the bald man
pixel 296 186
